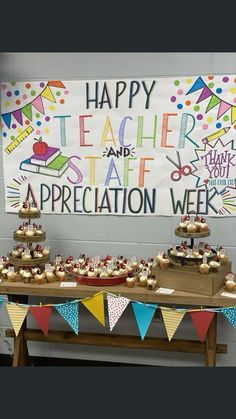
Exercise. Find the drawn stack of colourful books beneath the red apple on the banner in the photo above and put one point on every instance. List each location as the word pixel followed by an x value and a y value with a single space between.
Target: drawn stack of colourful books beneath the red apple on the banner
pixel 52 163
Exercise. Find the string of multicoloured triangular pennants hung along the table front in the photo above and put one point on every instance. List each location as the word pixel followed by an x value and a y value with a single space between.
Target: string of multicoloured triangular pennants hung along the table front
pixel 143 313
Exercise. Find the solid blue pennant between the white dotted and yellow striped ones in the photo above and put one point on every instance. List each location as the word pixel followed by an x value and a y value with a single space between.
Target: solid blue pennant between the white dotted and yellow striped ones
pixel 143 314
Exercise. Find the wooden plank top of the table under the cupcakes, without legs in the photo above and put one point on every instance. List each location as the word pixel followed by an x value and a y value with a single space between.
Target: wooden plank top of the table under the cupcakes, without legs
pixel 135 294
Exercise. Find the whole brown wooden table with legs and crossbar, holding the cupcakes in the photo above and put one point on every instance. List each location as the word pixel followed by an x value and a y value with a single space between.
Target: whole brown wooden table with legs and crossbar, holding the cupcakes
pixel 18 291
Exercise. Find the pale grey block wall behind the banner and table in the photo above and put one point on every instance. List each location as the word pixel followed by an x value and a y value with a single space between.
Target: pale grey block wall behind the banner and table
pixel 139 236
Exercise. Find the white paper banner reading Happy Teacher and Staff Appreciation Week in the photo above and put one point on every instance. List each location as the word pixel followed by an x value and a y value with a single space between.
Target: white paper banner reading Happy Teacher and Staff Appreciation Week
pixel 153 146
